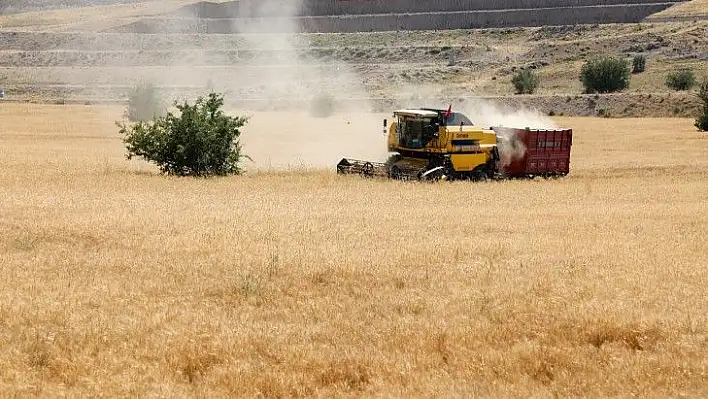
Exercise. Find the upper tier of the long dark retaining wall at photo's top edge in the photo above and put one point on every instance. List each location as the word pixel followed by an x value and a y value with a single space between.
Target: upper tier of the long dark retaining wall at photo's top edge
pixel 259 8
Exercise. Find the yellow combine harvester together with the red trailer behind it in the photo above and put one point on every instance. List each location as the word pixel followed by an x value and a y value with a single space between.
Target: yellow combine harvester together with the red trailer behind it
pixel 435 144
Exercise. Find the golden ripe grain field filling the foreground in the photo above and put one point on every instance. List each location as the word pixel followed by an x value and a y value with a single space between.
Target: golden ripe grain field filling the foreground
pixel 117 281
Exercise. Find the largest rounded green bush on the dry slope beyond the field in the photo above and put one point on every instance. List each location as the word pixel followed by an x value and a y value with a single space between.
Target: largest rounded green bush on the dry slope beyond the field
pixel 605 75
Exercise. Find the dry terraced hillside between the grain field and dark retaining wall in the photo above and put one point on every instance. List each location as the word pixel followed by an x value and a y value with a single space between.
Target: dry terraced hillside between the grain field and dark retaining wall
pixel 384 68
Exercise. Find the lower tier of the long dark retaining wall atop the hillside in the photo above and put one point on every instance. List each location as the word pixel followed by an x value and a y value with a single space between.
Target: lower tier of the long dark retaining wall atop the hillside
pixel 394 22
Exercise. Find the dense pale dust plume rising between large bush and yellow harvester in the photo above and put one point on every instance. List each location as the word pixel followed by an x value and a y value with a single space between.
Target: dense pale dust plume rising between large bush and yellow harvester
pixel 328 117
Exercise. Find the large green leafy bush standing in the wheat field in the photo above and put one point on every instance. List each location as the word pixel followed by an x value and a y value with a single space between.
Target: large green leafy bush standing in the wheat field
pixel 201 141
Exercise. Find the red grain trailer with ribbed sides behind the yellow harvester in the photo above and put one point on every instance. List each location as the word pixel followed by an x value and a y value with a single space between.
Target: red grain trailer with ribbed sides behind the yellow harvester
pixel 527 153
